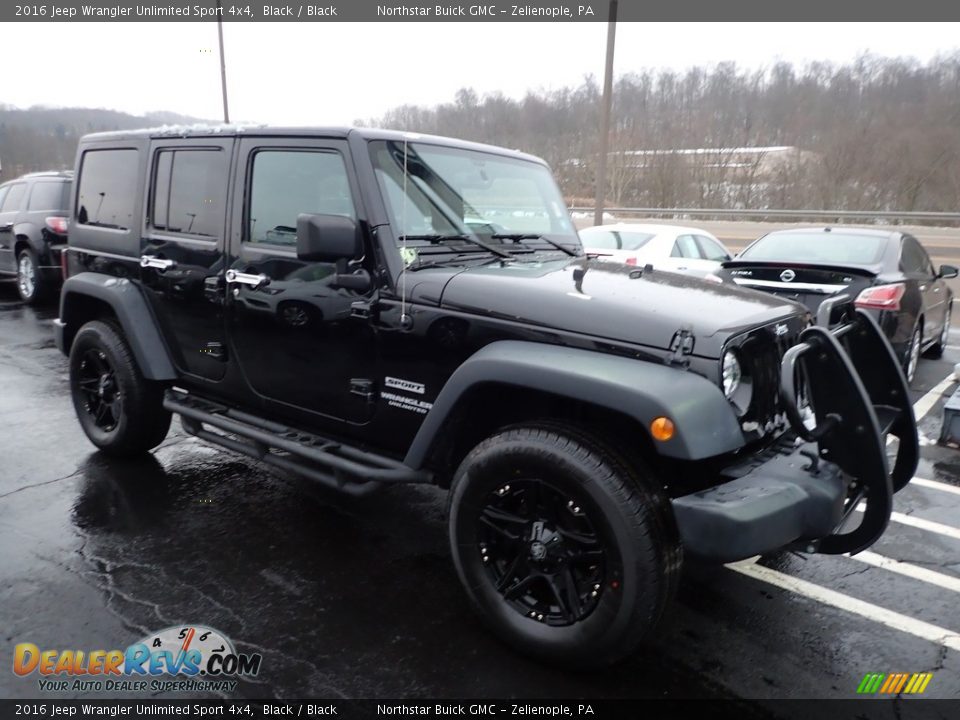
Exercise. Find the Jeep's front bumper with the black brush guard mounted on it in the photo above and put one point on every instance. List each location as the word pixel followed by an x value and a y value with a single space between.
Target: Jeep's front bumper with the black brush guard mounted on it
pixel 803 493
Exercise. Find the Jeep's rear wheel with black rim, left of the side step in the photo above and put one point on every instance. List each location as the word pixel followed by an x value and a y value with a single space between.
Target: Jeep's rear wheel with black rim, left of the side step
pixel 119 410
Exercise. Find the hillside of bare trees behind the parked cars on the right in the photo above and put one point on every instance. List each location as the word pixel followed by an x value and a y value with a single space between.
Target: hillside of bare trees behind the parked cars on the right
pixel 875 134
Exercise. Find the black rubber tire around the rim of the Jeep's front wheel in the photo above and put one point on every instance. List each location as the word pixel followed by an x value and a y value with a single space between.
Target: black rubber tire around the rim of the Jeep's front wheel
pixel 631 515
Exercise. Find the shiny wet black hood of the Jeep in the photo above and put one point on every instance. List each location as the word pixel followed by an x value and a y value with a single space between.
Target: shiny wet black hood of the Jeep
pixel 614 302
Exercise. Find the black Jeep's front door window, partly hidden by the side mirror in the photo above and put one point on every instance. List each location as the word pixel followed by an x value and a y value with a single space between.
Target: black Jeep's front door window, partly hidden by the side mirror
pixel 286 183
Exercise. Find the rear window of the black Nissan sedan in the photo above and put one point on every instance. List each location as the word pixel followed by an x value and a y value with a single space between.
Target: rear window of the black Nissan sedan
pixel 817 248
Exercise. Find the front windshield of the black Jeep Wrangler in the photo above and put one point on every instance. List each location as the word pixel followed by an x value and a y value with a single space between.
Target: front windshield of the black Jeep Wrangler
pixel 455 192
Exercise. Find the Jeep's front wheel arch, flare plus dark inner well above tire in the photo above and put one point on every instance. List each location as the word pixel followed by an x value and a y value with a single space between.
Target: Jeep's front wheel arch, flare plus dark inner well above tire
pixel 511 381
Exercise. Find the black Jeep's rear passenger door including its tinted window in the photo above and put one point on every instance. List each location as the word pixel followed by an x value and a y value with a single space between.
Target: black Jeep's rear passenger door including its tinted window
pixel 182 262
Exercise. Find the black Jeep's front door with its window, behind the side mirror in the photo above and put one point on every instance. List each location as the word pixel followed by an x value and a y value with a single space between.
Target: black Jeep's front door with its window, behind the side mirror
pixel 304 344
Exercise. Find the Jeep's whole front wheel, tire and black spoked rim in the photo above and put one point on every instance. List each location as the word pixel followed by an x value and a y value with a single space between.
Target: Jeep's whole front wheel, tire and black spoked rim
pixel 565 549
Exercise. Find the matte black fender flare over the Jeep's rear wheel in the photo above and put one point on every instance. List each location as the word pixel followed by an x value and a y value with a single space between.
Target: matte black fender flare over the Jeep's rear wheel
pixel 133 313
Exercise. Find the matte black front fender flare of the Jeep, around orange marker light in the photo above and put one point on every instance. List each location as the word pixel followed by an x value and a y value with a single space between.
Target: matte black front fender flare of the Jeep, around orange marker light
pixel 706 425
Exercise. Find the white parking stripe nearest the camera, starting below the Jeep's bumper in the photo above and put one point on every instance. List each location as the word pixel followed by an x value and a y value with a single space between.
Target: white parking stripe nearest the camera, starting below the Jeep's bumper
pixel 875 613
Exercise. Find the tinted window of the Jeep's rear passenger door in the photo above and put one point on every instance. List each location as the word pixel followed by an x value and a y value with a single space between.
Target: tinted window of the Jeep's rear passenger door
pixel 189 192
